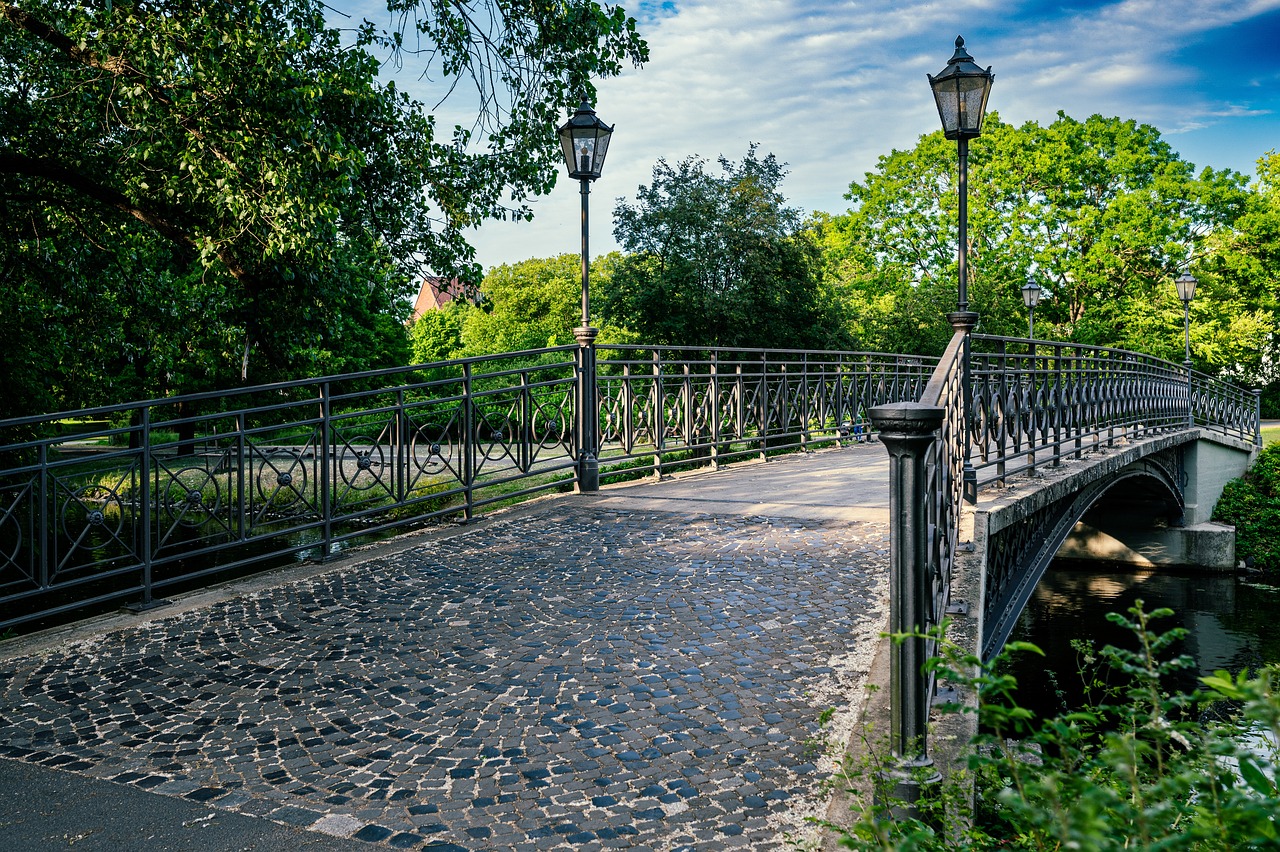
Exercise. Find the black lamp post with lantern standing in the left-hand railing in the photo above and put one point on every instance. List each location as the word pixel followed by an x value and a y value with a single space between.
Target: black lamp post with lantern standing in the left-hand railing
pixel 586 141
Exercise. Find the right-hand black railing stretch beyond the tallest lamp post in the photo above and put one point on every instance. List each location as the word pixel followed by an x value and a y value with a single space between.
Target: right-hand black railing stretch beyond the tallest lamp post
pixel 1039 402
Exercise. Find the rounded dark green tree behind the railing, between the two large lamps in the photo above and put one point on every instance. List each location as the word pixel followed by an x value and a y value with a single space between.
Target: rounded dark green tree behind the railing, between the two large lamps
pixel 717 260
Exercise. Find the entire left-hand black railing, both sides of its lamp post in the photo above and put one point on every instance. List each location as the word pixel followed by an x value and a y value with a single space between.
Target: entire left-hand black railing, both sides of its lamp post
pixel 163 494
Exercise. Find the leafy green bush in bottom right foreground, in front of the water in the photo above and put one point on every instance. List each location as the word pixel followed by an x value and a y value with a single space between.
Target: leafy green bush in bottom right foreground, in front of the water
pixel 1142 769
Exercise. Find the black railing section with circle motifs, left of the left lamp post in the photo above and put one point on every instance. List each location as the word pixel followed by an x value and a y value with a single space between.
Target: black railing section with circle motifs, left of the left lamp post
pixel 167 492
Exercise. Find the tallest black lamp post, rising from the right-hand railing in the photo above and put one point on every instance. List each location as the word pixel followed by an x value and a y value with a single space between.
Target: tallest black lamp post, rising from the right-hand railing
pixel 962 90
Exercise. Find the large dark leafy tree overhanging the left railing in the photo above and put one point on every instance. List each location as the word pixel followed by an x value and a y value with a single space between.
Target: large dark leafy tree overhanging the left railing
pixel 248 152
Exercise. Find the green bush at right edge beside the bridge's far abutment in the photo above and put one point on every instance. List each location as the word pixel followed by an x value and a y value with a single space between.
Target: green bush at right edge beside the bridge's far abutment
pixel 1252 505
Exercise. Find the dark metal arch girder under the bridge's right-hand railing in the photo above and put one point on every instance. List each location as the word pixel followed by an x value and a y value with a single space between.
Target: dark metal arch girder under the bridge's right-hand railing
pixel 1023 537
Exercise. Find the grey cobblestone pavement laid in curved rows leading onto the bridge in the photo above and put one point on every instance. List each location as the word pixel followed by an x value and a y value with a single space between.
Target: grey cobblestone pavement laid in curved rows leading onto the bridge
pixel 579 677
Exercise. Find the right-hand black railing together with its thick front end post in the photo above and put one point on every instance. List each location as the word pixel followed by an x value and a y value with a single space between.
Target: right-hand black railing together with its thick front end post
pixel 1028 404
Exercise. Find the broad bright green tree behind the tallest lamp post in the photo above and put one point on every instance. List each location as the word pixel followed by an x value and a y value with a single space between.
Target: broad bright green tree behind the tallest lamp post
pixel 1101 213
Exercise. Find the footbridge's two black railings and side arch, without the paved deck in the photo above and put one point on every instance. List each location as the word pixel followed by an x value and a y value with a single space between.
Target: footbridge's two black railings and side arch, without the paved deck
pixel 996 454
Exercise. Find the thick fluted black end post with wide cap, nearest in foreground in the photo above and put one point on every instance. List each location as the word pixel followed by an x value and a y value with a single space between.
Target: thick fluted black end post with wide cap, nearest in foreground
pixel 908 432
